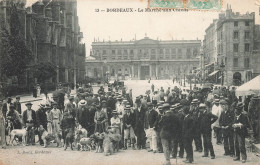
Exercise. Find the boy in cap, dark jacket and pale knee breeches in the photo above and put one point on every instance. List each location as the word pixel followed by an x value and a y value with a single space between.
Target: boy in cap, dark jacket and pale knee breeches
pixel 128 125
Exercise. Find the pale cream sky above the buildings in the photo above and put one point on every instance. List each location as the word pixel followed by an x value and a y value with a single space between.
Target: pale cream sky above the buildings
pixel 163 25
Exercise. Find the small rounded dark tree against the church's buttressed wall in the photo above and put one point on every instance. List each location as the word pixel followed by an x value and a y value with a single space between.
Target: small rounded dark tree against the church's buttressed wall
pixel 44 71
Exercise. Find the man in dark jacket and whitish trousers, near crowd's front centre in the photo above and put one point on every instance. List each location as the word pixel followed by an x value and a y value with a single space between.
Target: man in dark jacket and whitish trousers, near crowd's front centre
pixel 150 121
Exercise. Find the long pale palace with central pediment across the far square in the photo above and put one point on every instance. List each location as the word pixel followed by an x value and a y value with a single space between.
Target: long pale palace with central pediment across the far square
pixel 143 59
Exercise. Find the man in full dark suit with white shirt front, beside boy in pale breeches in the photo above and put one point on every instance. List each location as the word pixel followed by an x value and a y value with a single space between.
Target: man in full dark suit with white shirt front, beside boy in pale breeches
pixel 139 124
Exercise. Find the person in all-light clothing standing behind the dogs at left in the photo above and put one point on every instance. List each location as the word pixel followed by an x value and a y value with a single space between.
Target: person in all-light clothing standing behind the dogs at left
pixel 56 118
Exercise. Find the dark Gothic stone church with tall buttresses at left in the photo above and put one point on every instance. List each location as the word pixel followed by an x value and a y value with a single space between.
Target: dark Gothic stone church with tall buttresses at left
pixel 52 33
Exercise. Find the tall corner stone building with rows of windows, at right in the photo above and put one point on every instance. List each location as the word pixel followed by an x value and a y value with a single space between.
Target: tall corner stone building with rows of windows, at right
pixel 232 40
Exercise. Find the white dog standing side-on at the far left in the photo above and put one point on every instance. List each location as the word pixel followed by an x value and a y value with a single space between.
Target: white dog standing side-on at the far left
pixel 19 133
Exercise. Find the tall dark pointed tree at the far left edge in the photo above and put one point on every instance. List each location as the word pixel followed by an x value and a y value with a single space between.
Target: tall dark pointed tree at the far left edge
pixel 15 55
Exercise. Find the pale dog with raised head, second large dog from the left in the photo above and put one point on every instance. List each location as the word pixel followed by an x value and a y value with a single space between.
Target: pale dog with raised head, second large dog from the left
pixel 48 137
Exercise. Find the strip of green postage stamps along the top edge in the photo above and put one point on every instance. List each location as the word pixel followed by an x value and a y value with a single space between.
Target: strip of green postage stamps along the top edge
pixel 186 4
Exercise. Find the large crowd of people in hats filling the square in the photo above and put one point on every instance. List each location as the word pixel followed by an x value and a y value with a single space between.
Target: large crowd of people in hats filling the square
pixel 169 121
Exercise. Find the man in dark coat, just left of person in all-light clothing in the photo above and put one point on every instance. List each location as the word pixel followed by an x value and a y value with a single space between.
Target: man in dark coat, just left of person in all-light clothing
pixel 41 120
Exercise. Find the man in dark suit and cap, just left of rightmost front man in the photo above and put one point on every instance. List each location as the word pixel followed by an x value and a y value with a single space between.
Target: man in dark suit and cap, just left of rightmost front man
pixel 225 122
